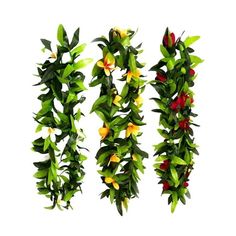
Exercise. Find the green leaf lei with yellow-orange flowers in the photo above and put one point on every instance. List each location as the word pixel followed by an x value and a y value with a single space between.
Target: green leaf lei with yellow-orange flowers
pixel 119 157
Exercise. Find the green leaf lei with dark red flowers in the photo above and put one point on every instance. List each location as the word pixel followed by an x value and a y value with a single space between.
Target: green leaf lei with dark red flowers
pixel 174 78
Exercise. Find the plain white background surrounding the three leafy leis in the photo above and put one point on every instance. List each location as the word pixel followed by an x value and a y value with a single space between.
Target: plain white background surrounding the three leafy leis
pixel 212 207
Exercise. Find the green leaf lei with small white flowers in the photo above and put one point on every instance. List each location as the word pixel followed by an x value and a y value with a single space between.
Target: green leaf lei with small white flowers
pixel 60 174
